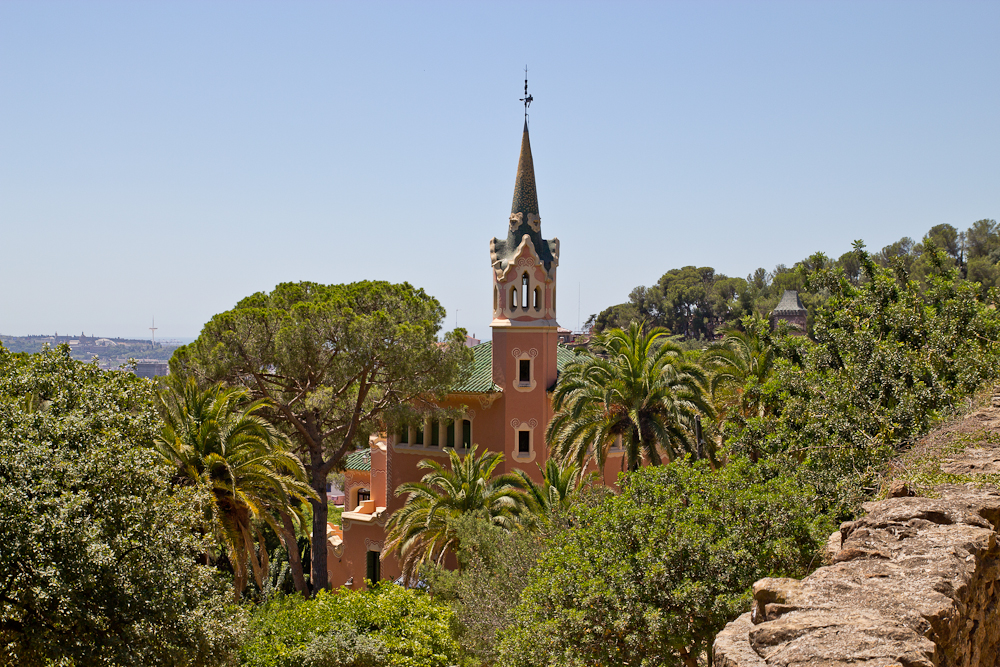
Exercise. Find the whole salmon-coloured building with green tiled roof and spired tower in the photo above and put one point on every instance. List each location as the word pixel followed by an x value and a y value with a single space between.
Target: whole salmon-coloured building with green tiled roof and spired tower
pixel 505 403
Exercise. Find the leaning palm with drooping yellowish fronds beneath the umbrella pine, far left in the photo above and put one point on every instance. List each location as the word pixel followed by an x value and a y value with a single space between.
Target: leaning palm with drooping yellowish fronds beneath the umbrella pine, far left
pixel 215 439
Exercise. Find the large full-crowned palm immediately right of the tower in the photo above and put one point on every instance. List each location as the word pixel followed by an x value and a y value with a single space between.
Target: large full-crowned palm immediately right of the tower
pixel 638 388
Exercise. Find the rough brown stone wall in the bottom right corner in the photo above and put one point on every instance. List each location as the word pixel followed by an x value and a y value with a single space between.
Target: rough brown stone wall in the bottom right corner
pixel 913 583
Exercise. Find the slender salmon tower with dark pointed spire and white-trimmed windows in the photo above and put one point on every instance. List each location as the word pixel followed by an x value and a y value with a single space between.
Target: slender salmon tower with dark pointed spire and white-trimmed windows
pixel 524 319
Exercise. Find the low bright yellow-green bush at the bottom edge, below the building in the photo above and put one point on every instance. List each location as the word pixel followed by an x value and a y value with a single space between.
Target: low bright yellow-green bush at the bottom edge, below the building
pixel 388 626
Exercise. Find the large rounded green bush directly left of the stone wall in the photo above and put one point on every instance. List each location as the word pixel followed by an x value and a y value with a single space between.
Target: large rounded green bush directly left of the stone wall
pixel 649 576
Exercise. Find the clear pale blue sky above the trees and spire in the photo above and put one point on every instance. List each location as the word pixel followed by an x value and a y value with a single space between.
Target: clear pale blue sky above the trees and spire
pixel 169 158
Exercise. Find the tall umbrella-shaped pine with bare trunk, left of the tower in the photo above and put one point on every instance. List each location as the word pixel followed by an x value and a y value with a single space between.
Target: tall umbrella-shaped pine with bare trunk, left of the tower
pixel 336 361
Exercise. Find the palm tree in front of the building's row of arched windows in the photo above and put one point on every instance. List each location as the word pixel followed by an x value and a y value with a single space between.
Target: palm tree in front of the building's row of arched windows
pixel 423 530
